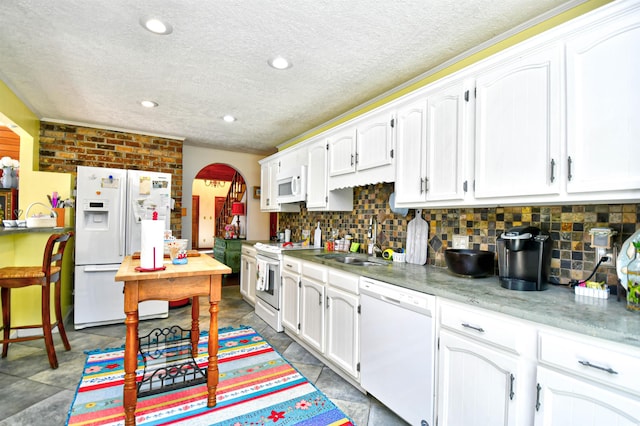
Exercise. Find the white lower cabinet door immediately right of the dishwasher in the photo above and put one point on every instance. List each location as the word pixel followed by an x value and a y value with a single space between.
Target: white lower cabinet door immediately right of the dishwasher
pixel 475 383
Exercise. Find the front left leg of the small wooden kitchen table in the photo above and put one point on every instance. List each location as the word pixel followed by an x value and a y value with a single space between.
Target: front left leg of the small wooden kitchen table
pixel 130 398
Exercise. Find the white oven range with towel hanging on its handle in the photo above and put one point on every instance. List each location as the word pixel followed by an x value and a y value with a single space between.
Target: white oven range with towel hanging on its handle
pixel 269 261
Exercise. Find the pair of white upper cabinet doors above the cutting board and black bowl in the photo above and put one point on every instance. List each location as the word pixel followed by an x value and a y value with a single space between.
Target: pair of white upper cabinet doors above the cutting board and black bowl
pixel 433 145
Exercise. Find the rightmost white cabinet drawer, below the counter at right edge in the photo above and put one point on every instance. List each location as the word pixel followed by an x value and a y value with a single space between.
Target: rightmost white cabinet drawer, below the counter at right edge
pixel 614 365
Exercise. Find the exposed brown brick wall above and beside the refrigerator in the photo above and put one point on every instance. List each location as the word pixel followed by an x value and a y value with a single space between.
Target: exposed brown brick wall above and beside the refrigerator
pixel 64 147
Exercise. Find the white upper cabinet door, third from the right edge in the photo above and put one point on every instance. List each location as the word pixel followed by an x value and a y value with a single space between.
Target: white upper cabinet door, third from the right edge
pixel 446 154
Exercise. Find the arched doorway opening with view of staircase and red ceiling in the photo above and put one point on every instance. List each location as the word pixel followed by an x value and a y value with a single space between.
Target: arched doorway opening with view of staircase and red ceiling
pixel 214 190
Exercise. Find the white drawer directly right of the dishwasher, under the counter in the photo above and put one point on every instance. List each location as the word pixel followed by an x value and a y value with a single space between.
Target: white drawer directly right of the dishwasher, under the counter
pixel 500 330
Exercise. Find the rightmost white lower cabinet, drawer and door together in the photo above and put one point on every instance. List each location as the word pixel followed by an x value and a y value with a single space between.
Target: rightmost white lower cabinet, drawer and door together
pixel 585 381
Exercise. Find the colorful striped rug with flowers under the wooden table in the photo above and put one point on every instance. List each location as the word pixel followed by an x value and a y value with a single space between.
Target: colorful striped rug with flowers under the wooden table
pixel 257 386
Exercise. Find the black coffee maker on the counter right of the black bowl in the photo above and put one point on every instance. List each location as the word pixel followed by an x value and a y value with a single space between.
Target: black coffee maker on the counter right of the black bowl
pixel 524 258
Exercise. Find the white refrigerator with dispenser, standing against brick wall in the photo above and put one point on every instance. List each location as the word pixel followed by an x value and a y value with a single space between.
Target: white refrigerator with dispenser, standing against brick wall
pixel 110 205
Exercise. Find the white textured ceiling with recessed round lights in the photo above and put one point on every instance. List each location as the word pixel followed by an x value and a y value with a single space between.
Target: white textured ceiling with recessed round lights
pixel 91 62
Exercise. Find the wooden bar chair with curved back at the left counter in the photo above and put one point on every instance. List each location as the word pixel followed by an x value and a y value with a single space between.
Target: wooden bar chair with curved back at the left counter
pixel 46 276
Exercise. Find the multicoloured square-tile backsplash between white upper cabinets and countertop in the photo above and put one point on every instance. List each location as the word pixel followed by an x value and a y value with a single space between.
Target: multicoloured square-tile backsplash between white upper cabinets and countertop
pixel 568 225
